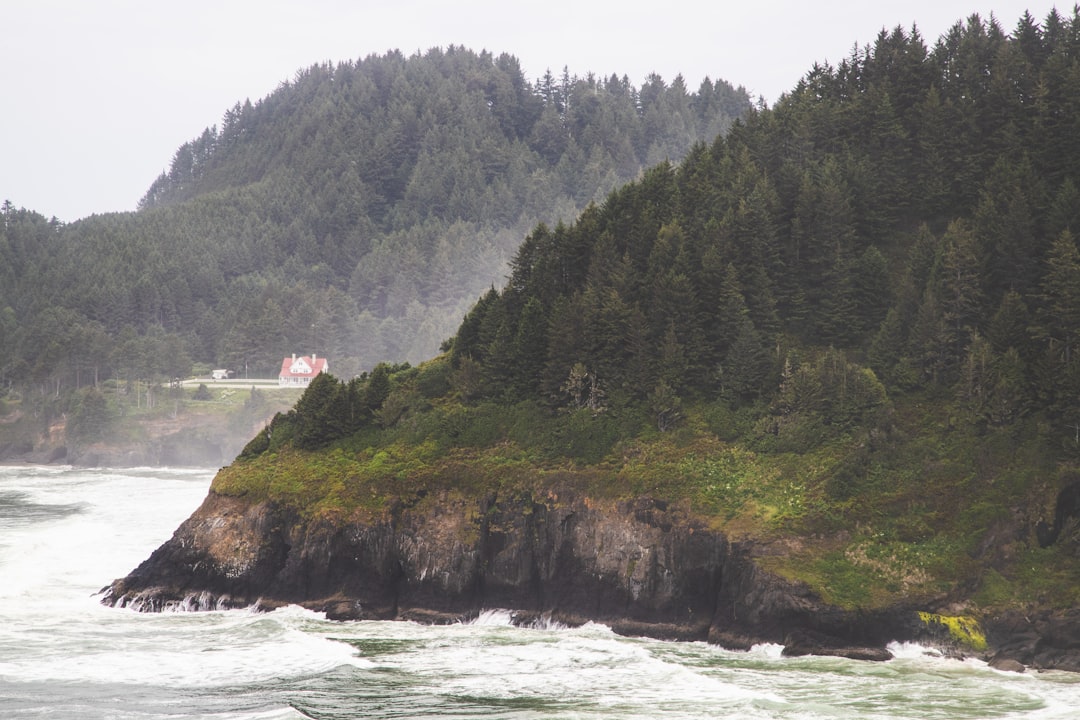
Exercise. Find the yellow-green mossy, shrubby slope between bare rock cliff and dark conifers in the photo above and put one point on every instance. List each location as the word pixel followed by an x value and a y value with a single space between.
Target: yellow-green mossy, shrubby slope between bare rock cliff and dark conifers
pixel 910 509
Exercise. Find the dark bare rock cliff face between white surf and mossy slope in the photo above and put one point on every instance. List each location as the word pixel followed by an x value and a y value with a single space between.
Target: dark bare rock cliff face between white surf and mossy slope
pixel 644 568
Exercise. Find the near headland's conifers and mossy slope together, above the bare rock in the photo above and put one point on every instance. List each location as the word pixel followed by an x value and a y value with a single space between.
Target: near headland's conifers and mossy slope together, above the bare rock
pixel 845 330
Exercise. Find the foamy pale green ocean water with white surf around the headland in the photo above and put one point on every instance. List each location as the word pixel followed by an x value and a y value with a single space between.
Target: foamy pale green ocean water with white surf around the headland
pixel 66 533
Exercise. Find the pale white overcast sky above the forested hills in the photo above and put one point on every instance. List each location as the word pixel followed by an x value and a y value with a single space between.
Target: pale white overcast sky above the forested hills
pixel 97 96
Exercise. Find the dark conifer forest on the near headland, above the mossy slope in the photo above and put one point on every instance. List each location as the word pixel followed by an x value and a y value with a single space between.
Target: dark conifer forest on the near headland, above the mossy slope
pixel 913 210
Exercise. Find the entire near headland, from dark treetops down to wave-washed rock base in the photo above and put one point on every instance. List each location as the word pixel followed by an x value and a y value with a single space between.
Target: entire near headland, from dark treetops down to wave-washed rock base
pixel 841 336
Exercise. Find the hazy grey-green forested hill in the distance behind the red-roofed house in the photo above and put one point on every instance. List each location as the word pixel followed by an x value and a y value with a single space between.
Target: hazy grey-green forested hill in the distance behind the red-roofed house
pixel 358 212
